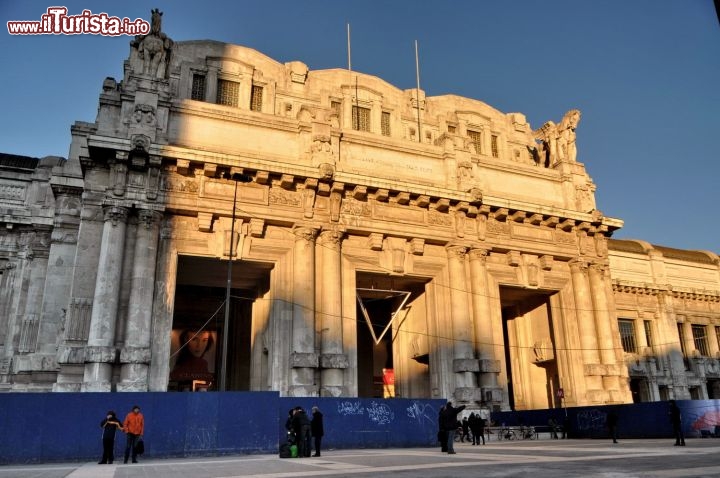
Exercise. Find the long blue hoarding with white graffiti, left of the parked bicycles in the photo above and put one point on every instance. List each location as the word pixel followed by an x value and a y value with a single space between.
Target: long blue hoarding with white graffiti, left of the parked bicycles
pixel 54 427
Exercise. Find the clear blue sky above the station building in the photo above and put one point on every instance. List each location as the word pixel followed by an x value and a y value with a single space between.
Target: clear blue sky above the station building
pixel 644 73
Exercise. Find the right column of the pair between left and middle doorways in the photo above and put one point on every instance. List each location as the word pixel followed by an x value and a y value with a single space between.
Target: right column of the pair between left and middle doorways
pixel 329 285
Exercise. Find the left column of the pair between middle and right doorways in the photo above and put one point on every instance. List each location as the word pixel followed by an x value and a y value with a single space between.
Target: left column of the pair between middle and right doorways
pixel 464 363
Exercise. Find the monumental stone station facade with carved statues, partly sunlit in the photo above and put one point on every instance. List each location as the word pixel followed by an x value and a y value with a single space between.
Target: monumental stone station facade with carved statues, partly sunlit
pixel 380 230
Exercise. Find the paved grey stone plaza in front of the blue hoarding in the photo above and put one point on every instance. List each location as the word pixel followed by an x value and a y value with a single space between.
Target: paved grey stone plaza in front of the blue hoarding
pixel 537 459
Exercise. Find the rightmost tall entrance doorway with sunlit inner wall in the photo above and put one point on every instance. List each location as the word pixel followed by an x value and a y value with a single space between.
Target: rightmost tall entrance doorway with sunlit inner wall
pixel 533 381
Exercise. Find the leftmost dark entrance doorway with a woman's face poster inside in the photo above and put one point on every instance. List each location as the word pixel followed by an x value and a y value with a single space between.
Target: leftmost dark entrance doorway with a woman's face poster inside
pixel 199 318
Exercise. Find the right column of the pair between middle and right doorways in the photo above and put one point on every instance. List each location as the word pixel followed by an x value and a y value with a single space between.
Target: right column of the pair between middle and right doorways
pixel 481 306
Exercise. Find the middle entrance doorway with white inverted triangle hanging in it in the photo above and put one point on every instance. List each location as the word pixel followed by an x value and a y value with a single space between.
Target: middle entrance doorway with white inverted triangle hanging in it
pixel 391 329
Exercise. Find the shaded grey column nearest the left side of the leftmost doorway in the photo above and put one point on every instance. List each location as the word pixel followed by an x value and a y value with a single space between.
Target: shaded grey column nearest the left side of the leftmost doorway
pixel 135 355
